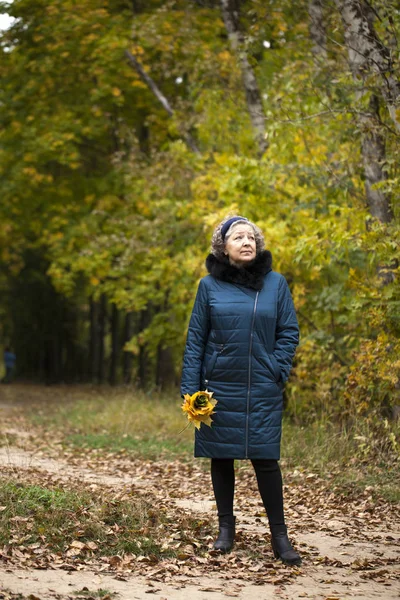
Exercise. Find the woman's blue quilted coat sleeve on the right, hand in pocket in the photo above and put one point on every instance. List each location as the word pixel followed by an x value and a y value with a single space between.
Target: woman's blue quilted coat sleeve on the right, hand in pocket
pixel 287 331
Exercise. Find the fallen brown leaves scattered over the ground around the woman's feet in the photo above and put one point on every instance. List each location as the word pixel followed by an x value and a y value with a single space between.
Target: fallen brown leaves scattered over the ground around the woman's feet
pixel 173 545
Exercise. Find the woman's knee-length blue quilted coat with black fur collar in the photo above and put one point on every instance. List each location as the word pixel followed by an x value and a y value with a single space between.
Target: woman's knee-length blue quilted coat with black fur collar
pixel 242 337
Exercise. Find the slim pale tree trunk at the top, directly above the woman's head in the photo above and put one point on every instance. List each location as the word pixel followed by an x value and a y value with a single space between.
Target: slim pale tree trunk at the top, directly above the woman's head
pixel 230 14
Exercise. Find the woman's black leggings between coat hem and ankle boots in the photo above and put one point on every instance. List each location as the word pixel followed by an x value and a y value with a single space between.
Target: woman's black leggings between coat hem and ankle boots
pixel 269 481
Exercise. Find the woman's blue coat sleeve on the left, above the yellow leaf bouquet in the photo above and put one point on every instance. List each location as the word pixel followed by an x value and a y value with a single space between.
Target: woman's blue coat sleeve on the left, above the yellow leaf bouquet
pixel 196 341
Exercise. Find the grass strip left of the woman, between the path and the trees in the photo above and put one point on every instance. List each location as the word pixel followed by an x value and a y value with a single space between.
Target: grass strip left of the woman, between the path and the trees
pixel 145 425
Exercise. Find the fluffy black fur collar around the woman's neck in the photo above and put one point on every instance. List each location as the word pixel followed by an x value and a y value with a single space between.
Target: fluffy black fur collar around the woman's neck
pixel 251 276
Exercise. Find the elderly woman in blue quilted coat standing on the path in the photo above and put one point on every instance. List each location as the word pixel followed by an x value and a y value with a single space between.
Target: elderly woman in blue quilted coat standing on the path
pixel 242 337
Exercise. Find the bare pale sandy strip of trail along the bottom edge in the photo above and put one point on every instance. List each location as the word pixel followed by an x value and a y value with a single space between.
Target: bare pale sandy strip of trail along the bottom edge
pixel 48 585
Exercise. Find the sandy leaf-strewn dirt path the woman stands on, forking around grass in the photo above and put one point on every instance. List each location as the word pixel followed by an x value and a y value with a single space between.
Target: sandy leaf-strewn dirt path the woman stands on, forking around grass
pixel 350 546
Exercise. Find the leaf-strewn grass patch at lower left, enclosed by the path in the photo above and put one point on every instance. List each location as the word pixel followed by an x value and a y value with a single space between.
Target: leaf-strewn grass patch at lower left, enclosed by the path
pixel 78 521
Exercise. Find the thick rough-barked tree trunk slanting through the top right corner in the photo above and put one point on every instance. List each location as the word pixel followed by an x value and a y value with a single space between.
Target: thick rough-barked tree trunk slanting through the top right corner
pixel 367 54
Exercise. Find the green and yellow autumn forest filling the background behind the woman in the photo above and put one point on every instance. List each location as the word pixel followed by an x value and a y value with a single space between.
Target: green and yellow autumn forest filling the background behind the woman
pixel 129 129
